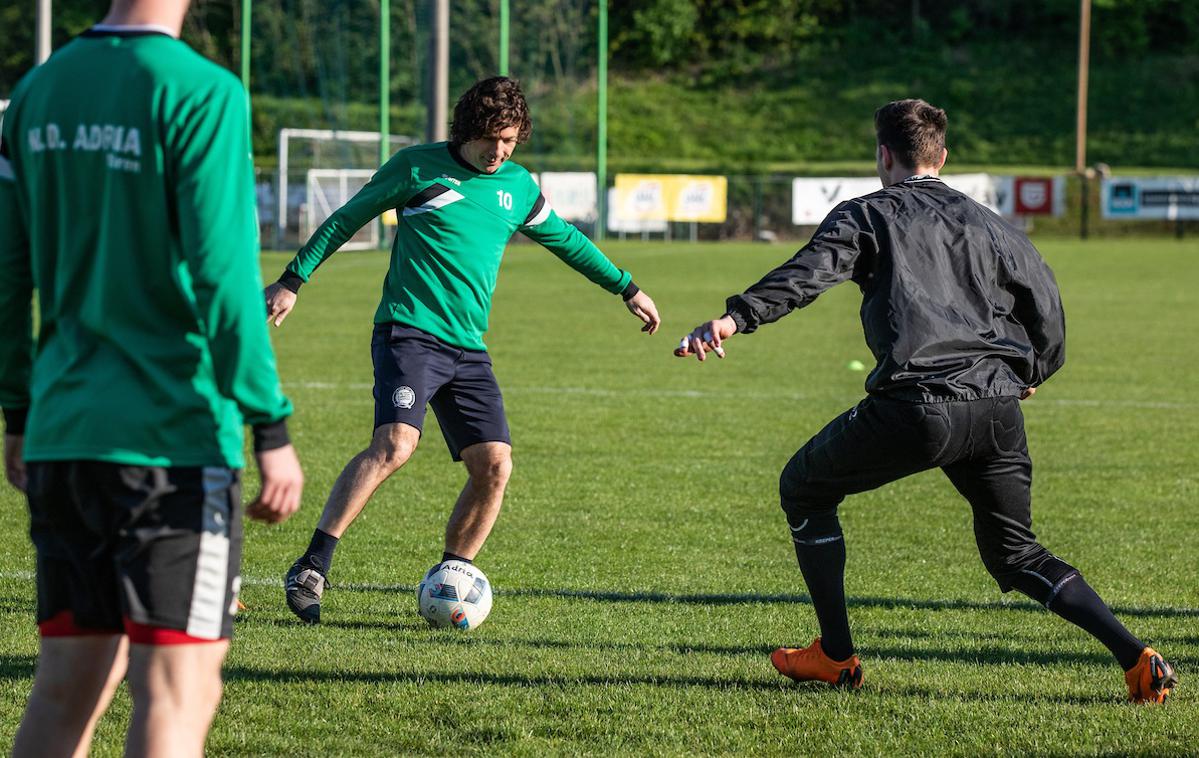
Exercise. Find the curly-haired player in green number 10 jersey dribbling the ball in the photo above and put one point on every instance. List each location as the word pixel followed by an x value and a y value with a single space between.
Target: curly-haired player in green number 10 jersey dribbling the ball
pixel 460 203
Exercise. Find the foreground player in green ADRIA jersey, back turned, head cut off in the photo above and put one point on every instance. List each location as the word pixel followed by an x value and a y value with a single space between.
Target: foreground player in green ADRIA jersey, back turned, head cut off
pixel 128 202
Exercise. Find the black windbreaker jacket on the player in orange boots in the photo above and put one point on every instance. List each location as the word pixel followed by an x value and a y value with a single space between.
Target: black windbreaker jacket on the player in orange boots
pixel 956 303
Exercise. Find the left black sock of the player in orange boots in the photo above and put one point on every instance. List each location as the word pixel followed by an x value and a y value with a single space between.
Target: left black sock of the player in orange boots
pixel 821 550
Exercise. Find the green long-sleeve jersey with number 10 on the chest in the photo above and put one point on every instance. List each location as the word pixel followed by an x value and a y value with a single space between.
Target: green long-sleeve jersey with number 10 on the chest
pixel 455 222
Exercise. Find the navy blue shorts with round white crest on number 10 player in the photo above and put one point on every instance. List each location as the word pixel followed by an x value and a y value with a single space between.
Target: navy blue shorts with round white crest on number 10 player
pixel 414 369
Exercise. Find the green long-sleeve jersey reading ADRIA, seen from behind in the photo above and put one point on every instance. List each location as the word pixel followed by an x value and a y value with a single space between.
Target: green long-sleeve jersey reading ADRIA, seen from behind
pixel 128 203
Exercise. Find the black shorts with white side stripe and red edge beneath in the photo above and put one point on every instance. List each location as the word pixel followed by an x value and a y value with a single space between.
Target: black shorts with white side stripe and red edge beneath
pixel 159 548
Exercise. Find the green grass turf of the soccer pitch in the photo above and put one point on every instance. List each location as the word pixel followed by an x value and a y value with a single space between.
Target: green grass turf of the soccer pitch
pixel 642 567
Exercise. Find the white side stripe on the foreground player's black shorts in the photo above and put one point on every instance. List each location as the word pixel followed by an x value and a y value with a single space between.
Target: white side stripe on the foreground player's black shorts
pixel 209 606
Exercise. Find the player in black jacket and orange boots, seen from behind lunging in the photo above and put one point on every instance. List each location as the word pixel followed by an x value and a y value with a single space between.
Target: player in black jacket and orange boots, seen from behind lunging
pixel 965 321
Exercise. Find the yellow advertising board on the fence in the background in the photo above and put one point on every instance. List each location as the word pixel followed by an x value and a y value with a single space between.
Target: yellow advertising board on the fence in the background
pixel 672 197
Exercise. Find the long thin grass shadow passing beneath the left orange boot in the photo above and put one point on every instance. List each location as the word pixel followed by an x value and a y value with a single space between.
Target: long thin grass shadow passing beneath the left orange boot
pixel 245 673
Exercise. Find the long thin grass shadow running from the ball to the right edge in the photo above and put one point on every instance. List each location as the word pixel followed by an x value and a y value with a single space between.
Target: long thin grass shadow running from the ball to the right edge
pixel 737 599
